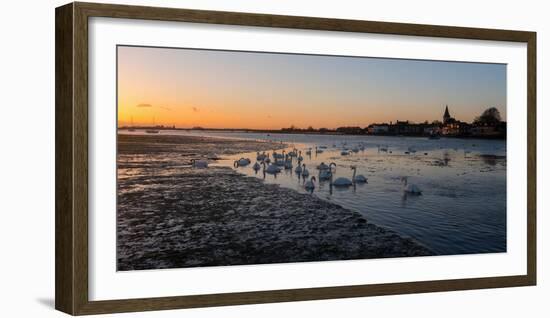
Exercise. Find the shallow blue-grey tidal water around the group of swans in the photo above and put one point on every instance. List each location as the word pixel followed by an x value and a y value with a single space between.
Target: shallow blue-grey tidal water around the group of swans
pixel 462 208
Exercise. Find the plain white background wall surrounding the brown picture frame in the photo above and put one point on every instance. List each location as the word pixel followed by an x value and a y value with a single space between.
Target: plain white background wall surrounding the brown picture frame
pixel 27 158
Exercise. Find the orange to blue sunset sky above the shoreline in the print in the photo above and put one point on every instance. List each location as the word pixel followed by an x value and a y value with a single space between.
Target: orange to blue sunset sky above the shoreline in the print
pixel 223 89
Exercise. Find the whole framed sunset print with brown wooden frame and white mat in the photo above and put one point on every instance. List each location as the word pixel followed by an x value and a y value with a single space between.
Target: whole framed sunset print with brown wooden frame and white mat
pixel 211 158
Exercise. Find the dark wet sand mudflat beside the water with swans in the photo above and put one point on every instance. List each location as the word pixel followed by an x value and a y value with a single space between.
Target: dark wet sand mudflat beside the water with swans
pixel 171 215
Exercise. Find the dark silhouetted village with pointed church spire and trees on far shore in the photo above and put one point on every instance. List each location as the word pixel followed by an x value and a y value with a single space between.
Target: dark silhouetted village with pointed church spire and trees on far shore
pixel 487 125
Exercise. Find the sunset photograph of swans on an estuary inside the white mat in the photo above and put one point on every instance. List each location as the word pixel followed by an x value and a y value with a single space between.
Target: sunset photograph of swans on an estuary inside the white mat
pixel 247 158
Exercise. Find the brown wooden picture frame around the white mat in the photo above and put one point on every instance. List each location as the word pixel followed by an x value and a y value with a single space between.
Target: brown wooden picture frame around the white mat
pixel 71 124
